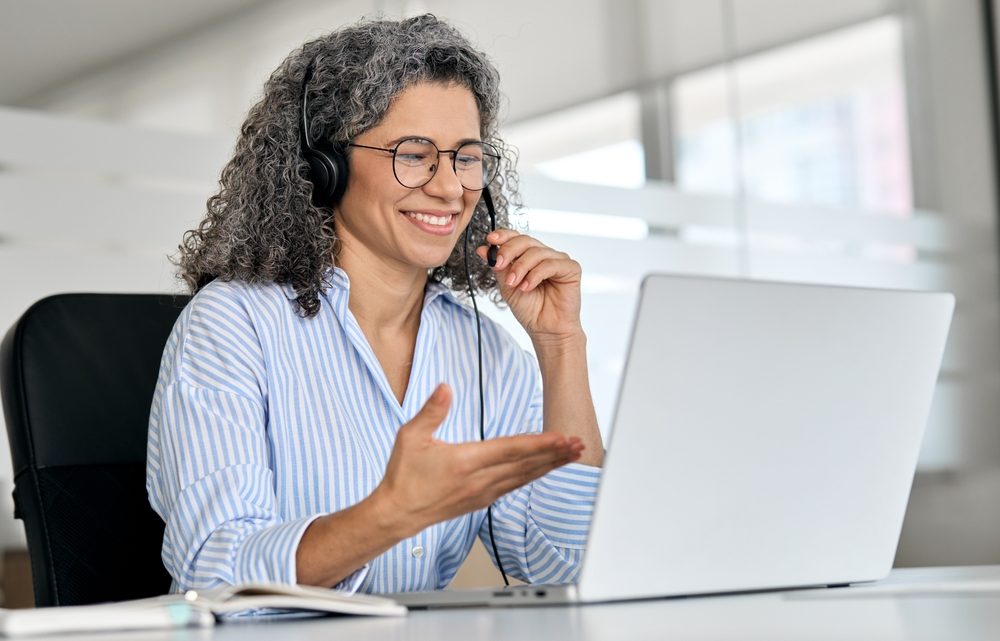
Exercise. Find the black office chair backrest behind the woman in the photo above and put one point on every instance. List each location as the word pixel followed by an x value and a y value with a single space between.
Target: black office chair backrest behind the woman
pixel 77 372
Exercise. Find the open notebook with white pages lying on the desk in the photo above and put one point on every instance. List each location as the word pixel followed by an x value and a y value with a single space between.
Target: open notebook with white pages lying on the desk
pixel 193 609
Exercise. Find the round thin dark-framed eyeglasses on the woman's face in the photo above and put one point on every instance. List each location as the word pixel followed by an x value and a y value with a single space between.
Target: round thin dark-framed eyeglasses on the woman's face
pixel 416 160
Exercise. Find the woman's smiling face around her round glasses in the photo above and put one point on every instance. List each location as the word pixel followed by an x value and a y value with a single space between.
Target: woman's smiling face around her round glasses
pixel 379 216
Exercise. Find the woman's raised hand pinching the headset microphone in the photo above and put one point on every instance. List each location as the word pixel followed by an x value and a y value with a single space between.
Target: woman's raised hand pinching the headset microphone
pixel 541 285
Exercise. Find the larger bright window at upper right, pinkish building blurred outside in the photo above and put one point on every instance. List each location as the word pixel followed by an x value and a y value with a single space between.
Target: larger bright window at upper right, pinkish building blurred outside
pixel 820 122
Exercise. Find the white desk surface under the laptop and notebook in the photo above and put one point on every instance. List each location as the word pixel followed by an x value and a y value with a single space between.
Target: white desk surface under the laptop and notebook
pixel 947 604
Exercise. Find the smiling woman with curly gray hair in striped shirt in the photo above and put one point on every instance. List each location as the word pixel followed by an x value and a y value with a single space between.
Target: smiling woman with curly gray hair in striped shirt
pixel 317 416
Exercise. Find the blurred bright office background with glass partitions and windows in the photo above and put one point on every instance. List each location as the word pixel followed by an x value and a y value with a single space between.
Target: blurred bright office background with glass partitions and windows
pixel 849 142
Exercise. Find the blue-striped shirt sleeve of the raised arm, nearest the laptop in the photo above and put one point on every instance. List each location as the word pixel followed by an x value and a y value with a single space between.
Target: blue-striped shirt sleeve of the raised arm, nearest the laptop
pixel 541 528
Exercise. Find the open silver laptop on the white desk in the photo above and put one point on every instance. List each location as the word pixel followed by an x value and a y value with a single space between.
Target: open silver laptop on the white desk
pixel 765 437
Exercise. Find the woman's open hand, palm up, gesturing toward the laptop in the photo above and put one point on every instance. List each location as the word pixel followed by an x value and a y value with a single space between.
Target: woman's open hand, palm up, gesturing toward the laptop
pixel 427 480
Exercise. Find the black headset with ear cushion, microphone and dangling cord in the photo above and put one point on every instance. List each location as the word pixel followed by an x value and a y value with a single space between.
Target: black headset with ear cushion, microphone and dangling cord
pixel 328 174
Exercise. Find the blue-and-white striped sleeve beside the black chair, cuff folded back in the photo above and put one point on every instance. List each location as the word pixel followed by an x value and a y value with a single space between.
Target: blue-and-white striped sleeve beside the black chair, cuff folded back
pixel 209 475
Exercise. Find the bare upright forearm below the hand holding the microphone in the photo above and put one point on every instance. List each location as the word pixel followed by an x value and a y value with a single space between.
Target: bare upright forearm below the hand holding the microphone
pixel 568 404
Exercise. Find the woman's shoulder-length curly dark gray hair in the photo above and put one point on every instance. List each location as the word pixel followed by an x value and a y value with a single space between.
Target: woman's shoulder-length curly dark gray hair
pixel 262 226
